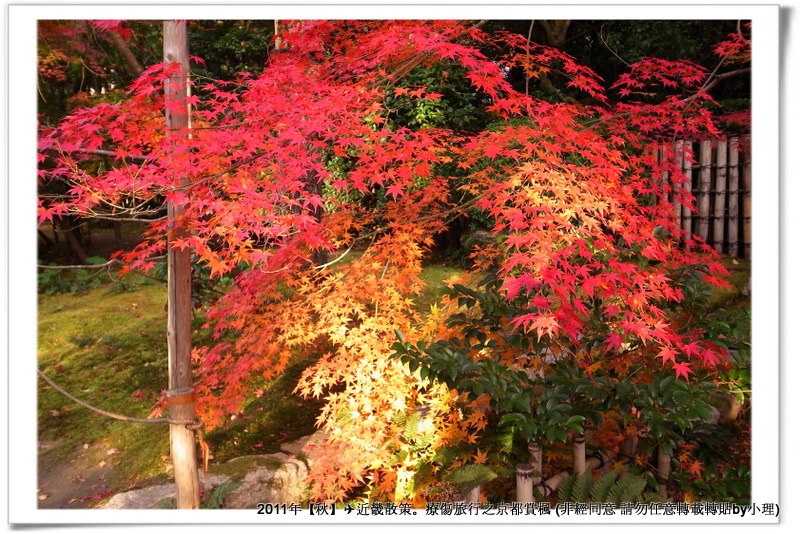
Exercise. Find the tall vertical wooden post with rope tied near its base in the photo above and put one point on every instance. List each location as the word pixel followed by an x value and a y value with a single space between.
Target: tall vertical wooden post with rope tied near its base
pixel 179 340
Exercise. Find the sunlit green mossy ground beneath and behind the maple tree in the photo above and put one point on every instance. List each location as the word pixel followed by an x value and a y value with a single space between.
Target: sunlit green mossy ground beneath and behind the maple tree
pixel 107 346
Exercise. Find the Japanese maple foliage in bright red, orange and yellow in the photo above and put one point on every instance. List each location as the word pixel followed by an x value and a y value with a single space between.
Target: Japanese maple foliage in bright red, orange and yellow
pixel 586 243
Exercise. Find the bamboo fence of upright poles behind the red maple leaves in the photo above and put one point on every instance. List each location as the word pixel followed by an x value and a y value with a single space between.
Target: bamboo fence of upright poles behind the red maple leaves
pixel 717 174
